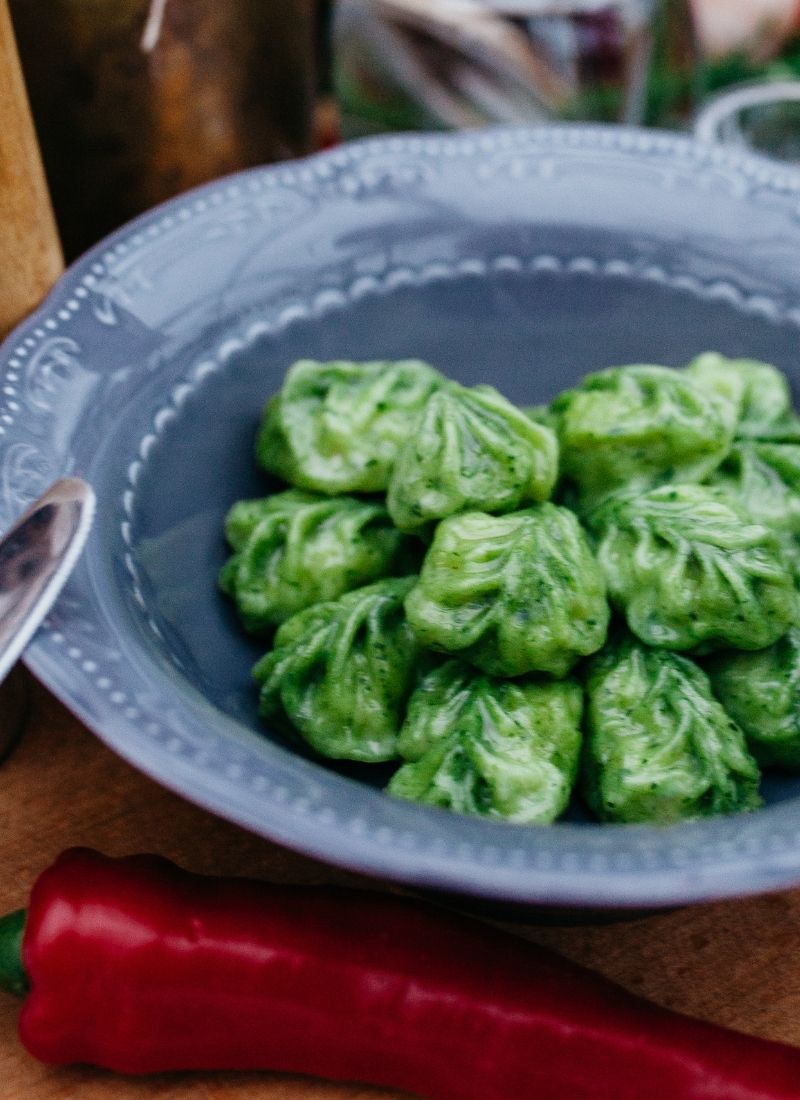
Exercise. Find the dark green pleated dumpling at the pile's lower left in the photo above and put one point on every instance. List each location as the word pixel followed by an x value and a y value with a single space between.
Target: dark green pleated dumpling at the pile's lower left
pixel 342 673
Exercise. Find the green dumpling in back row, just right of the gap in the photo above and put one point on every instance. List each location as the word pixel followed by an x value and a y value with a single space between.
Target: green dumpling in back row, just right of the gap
pixel 639 426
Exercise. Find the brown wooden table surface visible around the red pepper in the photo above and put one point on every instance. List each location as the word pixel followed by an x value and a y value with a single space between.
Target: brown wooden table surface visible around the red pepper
pixel 737 963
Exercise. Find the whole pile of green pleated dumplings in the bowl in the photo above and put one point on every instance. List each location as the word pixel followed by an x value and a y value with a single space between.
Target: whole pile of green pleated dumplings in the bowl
pixel 599 596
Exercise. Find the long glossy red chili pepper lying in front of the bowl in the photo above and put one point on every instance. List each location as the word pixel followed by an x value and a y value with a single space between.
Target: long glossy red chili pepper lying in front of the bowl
pixel 137 966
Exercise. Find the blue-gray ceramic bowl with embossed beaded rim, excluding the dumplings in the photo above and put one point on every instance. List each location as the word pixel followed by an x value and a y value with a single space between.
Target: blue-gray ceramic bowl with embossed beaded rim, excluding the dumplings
pixel 524 258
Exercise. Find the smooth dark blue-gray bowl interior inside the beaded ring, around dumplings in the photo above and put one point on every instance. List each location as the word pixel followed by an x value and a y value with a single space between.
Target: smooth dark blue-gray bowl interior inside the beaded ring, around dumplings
pixel 528 334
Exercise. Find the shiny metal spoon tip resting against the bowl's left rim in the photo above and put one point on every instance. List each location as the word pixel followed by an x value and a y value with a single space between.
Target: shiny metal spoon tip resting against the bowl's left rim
pixel 37 557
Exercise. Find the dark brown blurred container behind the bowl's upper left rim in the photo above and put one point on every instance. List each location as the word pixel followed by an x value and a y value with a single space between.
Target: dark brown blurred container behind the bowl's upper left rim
pixel 137 101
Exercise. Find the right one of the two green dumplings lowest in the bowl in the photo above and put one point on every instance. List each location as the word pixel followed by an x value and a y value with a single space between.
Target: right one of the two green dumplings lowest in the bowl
pixel 660 747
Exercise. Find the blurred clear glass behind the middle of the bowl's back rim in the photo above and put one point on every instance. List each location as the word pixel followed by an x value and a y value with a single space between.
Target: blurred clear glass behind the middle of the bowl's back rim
pixel 452 64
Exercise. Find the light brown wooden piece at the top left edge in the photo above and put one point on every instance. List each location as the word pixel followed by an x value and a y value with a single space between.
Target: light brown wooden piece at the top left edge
pixel 30 254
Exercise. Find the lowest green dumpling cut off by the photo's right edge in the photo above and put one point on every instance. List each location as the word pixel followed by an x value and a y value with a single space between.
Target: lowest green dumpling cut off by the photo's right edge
pixel 761 691
